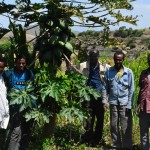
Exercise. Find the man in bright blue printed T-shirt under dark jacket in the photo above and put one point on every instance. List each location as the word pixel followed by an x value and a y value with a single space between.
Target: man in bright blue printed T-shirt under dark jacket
pixel 19 128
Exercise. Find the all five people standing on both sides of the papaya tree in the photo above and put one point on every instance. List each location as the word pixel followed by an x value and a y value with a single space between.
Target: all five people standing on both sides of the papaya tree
pixel 116 85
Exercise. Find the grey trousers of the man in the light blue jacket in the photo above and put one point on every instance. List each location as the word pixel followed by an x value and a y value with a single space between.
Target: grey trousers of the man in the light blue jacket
pixel 119 117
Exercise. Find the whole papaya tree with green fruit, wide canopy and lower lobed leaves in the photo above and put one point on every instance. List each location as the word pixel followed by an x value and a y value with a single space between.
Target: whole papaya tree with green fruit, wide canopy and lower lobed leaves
pixel 55 17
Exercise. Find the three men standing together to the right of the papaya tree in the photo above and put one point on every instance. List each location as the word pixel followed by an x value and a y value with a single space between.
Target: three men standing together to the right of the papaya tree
pixel 116 85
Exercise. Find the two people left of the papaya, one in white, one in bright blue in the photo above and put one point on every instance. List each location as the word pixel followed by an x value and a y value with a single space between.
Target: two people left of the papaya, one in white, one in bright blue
pixel 18 132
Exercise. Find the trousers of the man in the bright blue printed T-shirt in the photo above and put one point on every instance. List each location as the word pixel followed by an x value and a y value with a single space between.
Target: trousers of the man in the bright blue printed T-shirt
pixel 19 132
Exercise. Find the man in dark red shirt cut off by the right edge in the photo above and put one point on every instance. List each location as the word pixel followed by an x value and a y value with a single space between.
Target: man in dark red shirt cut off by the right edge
pixel 143 105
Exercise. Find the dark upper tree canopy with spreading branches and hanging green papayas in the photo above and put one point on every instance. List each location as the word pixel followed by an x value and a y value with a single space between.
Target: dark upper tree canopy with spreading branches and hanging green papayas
pixel 55 22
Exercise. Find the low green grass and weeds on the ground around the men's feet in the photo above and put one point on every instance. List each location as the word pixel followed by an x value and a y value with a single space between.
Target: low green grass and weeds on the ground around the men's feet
pixel 68 136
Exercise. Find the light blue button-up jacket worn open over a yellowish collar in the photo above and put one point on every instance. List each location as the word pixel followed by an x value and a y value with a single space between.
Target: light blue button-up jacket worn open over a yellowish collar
pixel 119 91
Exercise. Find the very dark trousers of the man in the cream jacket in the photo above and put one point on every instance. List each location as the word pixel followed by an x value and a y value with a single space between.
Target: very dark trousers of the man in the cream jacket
pixel 94 130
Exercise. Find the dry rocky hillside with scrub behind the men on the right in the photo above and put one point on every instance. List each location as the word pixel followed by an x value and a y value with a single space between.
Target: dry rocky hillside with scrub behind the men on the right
pixel 132 39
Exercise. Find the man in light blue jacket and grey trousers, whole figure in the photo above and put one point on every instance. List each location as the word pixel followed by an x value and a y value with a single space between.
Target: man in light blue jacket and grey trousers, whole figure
pixel 119 84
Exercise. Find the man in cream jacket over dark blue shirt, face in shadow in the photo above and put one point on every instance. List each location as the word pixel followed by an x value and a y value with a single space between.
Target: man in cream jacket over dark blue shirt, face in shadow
pixel 94 70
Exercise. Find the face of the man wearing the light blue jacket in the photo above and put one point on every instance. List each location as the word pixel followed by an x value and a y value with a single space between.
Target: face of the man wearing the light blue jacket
pixel 118 60
